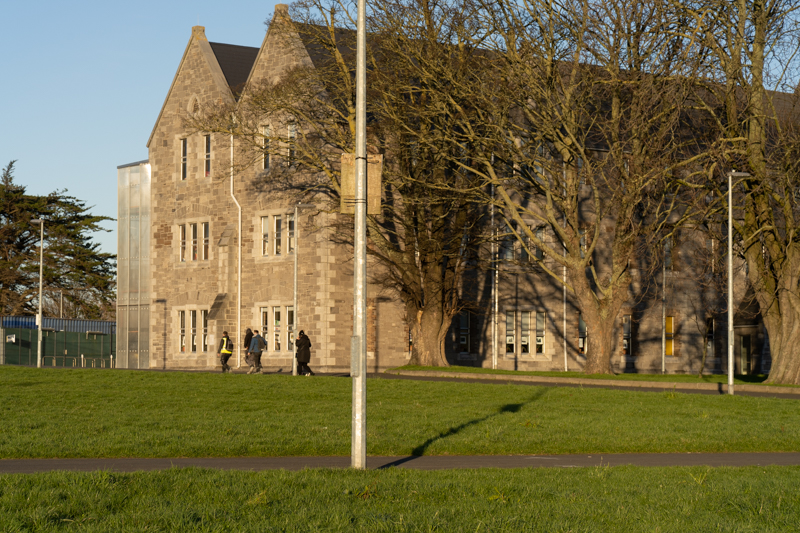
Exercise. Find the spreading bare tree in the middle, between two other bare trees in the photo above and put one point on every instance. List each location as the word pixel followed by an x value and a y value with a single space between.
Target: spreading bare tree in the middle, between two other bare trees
pixel 583 135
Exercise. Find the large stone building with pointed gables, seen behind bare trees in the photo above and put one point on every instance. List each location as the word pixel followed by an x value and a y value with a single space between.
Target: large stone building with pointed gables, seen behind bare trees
pixel 204 250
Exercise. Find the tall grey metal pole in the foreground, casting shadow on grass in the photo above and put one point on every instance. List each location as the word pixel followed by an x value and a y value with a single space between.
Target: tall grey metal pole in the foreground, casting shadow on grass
pixel 358 454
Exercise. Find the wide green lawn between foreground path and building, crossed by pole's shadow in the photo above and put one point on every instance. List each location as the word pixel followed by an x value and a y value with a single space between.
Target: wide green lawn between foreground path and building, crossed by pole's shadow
pixel 102 413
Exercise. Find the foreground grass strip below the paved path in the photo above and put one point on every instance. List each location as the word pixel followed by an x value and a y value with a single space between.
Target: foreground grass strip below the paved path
pixel 624 499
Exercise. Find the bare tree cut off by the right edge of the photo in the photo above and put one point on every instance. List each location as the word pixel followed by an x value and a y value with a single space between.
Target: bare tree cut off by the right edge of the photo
pixel 750 47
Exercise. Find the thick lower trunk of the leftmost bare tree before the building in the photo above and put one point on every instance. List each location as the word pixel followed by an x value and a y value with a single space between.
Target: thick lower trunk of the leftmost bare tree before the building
pixel 429 327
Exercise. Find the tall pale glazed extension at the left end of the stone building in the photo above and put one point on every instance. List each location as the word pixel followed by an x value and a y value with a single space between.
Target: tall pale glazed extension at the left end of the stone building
pixel 133 266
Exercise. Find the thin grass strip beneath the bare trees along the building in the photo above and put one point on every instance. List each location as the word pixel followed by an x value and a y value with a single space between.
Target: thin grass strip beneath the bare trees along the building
pixel 740 379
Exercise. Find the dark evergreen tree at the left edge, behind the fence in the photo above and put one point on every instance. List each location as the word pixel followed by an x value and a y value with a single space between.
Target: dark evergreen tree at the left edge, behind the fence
pixel 73 263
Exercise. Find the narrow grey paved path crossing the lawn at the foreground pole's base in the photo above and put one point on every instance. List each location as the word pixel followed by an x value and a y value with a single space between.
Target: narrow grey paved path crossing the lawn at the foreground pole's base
pixel 29 466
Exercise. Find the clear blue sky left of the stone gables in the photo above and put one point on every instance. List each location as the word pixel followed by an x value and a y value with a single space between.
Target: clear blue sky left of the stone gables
pixel 81 85
